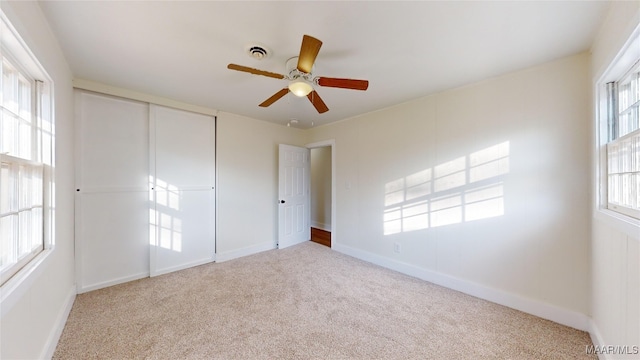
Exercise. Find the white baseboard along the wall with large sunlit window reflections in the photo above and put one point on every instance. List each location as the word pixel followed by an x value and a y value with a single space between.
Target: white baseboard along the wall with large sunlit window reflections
pixel 531 306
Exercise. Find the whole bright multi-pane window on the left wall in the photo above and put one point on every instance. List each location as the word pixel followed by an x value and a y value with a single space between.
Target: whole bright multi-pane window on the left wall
pixel 26 143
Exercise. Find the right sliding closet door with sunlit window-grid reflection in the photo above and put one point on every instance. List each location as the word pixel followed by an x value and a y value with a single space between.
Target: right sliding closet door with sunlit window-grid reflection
pixel 183 176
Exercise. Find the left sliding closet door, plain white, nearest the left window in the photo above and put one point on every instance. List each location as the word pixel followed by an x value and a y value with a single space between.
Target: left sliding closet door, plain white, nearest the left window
pixel 112 201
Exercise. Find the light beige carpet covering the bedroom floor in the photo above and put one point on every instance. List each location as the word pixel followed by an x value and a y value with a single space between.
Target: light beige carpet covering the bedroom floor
pixel 303 302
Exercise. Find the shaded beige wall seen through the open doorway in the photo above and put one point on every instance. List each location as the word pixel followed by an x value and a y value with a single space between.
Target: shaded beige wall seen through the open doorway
pixel 321 188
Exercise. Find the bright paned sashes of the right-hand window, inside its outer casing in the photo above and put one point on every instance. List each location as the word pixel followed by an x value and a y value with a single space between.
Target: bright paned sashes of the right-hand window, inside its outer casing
pixel 623 148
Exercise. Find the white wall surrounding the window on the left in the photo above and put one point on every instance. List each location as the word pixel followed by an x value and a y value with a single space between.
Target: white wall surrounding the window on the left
pixel 34 313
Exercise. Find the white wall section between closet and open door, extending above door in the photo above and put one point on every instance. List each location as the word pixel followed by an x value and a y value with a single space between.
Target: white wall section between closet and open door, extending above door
pixel 247 168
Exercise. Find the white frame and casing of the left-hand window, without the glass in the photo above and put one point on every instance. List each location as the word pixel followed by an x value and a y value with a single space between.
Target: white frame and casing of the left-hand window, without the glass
pixel 40 159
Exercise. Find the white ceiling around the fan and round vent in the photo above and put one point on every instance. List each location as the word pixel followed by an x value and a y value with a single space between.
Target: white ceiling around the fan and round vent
pixel 180 50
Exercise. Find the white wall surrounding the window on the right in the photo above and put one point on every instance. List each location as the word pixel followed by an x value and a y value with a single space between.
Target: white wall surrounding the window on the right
pixel 615 246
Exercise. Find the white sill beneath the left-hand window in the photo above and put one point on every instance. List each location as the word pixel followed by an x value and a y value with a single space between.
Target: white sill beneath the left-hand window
pixel 15 288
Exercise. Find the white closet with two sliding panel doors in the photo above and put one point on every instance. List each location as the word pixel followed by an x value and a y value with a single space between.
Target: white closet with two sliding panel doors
pixel 145 196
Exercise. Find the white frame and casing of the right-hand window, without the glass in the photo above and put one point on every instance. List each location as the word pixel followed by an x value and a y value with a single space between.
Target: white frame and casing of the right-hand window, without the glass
pixel 625 219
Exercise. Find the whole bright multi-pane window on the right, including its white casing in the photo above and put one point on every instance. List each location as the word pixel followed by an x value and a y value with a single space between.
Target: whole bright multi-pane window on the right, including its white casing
pixel 618 136
